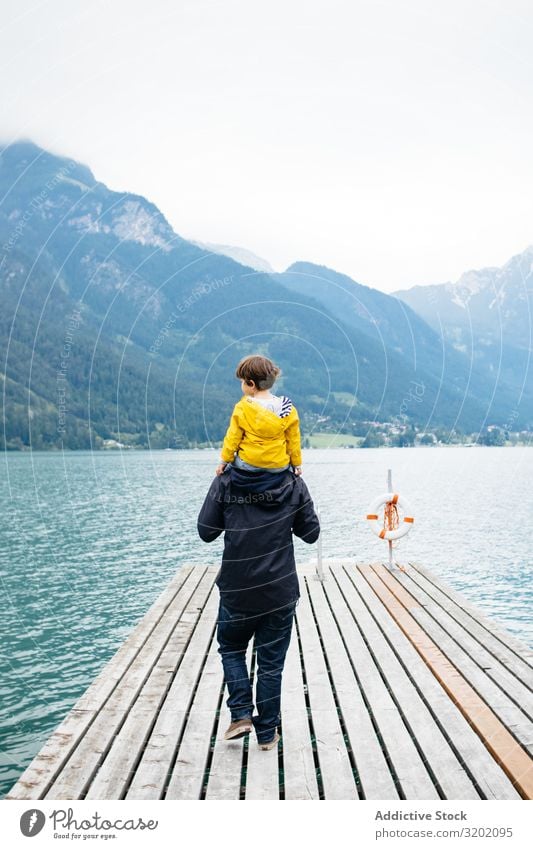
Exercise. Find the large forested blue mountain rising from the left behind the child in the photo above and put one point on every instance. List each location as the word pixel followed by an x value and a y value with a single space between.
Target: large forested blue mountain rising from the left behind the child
pixel 114 327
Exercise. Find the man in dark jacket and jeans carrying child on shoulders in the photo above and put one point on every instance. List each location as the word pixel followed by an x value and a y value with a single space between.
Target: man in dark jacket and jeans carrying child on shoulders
pixel 259 512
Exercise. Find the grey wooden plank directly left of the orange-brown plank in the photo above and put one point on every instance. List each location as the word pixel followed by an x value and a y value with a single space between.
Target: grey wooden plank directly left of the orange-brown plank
pixel 487 774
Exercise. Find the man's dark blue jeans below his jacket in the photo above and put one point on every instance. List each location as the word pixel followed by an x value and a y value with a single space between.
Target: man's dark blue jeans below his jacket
pixel 272 633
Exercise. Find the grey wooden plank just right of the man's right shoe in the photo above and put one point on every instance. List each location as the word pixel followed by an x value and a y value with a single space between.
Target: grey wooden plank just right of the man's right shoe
pixel 300 780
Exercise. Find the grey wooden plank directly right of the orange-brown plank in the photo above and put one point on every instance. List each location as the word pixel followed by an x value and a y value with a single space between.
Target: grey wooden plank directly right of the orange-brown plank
pixel 497 700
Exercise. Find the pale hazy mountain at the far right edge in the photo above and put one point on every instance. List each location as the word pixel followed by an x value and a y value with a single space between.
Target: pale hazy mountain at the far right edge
pixel 487 314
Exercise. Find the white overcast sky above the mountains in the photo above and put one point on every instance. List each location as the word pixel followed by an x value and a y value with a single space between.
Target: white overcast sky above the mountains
pixel 389 140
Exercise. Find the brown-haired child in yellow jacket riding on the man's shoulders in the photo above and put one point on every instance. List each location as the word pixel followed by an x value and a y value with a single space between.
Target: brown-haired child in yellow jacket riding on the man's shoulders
pixel 264 431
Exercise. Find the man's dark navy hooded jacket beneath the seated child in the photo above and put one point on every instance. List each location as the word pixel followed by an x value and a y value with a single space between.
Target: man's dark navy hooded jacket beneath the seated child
pixel 259 513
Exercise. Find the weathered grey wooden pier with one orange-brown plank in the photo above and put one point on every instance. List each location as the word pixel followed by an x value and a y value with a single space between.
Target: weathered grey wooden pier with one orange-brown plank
pixel 394 688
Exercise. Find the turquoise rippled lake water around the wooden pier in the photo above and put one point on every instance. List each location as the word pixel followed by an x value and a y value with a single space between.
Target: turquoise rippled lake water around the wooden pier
pixel 90 540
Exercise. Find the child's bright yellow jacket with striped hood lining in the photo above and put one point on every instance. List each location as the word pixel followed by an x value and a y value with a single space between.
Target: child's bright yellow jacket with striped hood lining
pixel 261 437
